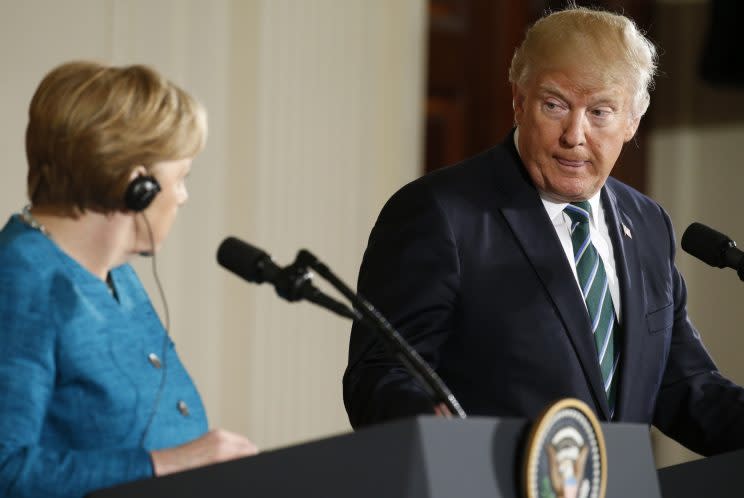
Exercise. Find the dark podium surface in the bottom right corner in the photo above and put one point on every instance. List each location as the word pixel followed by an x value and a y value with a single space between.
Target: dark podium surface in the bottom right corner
pixel 712 477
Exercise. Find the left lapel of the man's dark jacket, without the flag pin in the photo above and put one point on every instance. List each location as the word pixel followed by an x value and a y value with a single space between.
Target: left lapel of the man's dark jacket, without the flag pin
pixel 526 215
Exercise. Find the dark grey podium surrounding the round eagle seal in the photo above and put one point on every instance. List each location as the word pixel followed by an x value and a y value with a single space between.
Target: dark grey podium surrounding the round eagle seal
pixel 423 457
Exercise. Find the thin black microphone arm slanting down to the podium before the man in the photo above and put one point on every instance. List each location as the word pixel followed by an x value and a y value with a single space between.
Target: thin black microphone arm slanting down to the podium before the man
pixel 296 278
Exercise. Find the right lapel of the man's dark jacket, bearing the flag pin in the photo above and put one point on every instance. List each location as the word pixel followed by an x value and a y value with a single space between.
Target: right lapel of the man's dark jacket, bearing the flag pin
pixel 630 278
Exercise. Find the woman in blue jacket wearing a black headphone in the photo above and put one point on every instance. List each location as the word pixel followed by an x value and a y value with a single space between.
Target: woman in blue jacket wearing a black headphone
pixel 93 392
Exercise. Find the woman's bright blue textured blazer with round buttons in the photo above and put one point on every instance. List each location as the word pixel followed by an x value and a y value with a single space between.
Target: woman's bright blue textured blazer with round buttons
pixel 78 380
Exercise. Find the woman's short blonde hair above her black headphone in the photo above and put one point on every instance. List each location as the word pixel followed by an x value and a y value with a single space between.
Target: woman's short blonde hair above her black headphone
pixel 90 125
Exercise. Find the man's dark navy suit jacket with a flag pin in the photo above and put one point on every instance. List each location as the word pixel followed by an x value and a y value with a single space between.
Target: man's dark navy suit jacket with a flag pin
pixel 466 264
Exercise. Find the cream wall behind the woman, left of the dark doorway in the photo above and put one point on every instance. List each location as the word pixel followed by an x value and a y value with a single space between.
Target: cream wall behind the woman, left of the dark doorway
pixel 314 121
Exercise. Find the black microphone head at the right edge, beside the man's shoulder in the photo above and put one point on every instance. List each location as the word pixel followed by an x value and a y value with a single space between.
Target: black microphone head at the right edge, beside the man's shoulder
pixel 713 247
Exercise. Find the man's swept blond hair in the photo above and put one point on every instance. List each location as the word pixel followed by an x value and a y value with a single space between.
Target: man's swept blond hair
pixel 606 46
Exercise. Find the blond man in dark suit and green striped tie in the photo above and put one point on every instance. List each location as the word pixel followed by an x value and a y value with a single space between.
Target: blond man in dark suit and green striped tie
pixel 526 274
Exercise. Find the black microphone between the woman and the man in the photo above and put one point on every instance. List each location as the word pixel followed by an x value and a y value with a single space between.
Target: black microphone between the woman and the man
pixel 293 282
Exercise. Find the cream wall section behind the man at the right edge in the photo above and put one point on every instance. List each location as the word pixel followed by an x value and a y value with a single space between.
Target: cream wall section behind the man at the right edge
pixel 697 176
